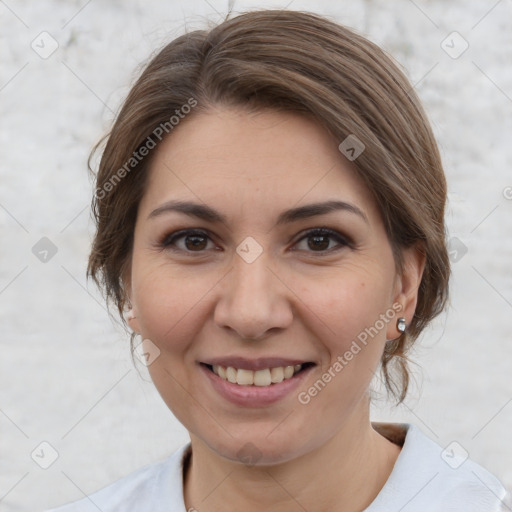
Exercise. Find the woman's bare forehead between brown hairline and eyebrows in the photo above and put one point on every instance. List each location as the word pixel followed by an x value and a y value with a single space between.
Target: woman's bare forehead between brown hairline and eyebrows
pixel 258 159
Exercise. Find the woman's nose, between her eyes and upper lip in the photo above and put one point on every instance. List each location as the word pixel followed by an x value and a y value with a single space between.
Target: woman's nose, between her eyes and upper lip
pixel 253 302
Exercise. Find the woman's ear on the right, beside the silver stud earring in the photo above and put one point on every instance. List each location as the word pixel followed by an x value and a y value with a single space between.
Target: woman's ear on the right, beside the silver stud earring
pixel 407 285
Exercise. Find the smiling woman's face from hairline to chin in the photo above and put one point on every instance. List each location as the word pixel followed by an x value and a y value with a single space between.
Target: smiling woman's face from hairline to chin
pixel 259 257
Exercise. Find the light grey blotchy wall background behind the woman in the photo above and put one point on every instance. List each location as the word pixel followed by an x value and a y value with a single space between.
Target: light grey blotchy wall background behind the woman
pixel 66 372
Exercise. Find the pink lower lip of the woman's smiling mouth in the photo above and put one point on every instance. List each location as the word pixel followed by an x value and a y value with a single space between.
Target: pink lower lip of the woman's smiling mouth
pixel 254 396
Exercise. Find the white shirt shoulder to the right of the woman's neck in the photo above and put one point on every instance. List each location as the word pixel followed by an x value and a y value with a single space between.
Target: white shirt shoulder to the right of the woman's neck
pixel 429 477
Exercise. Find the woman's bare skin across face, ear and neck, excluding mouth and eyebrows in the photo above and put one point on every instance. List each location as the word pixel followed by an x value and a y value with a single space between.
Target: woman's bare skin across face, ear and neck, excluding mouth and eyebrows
pixel 297 299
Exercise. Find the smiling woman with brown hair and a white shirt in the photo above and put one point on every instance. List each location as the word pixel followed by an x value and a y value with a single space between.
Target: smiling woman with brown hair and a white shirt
pixel 270 221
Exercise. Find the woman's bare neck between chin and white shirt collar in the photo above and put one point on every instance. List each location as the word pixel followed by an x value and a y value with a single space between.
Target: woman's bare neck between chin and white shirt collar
pixel 345 473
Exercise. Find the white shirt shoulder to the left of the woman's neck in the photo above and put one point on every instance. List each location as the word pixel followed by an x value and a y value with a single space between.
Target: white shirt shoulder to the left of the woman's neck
pixel 155 487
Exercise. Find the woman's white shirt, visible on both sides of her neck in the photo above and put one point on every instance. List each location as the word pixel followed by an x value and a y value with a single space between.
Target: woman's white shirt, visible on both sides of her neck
pixel 425 478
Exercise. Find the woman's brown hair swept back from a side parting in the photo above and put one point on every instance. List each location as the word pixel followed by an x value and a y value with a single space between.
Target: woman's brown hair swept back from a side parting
pixel 298 61
